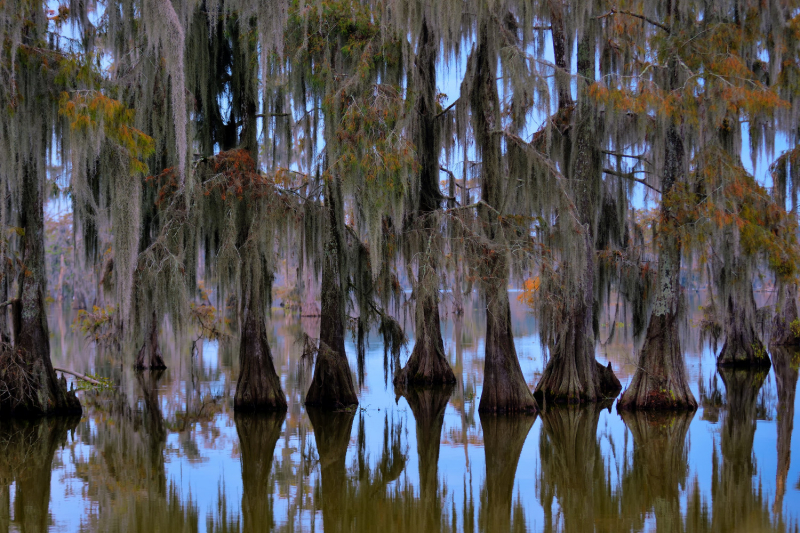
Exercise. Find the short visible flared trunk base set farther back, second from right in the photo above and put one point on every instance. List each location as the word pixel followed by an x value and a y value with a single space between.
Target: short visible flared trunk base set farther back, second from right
pixel 742 346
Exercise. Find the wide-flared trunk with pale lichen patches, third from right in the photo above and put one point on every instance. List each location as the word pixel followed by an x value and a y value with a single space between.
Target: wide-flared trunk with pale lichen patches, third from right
pixel 660 379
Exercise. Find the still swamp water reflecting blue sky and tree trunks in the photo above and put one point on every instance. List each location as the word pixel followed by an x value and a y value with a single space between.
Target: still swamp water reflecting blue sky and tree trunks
pixel 165 452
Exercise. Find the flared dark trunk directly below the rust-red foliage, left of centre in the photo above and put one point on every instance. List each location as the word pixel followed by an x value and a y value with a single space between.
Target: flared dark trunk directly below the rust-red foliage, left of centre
pixel 258 387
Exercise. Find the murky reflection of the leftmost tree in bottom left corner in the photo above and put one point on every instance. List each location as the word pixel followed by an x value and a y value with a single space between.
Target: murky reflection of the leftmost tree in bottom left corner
pixel 27 449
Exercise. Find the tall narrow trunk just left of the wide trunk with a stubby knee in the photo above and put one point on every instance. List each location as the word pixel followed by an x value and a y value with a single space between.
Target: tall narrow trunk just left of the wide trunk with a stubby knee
pixel 504 387
